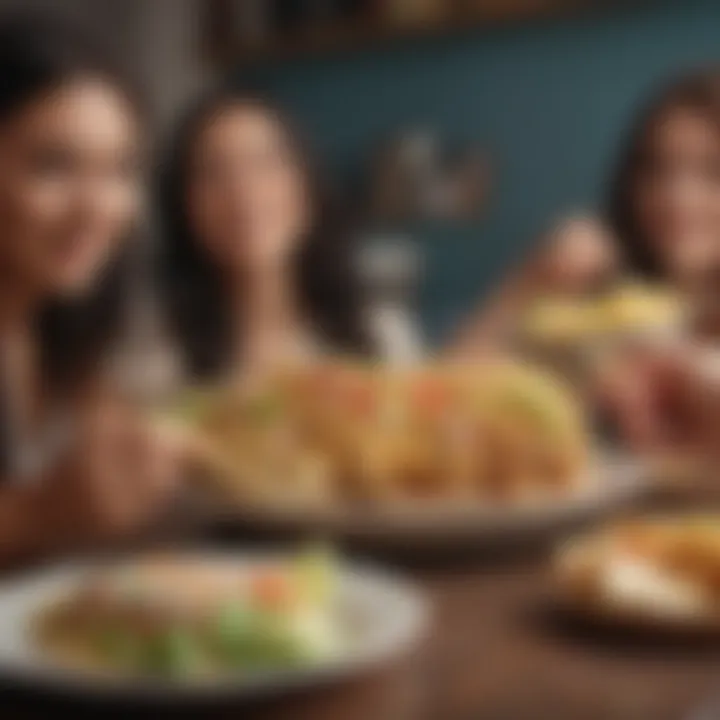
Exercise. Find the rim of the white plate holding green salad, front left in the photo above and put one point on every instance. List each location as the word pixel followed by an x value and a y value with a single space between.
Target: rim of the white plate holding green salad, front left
pixel 409 629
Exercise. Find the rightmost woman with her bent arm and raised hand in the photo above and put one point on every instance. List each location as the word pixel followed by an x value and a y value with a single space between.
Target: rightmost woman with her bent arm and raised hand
pixel 662 221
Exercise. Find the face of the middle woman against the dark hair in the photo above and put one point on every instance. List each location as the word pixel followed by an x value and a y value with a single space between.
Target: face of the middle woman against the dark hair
pixel 247 195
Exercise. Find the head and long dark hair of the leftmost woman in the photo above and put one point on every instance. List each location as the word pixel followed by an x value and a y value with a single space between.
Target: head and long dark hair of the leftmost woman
pixel 67 194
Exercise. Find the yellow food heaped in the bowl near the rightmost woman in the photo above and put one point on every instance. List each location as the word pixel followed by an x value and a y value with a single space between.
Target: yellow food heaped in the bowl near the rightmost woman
pixel 629 308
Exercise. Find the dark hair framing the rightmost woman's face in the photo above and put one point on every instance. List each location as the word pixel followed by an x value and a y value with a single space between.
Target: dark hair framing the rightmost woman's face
pixel 698 91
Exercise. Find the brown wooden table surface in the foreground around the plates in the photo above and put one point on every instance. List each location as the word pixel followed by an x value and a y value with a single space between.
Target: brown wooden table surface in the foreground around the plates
pixel 495 653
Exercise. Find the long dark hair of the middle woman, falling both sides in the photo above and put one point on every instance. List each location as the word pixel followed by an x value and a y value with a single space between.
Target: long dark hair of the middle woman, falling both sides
pixel 194 290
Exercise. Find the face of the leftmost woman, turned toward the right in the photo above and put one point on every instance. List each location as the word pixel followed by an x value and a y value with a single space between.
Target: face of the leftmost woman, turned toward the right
pixel 68 186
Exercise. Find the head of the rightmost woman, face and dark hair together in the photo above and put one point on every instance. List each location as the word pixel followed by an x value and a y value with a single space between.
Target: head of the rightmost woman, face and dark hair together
pixel 665 201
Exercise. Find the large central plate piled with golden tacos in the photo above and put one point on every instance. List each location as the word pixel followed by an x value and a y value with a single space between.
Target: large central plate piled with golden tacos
pixel 426 454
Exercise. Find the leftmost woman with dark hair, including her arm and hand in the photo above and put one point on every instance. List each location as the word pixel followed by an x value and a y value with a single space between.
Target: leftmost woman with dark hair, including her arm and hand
pixel 75 466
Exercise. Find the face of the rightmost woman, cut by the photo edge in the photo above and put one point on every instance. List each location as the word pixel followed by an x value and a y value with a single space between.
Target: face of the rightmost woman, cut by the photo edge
pixel 677 193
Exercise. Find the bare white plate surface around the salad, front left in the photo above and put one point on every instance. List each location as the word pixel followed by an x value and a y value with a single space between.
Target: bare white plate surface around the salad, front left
pixel 380 615
